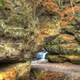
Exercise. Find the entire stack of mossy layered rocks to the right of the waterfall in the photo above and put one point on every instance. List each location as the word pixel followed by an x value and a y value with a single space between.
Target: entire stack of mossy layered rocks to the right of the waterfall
pixel 65 46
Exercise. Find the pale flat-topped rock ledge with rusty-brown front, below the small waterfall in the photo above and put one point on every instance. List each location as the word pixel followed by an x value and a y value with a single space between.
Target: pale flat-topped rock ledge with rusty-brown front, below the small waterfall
pixel 54 71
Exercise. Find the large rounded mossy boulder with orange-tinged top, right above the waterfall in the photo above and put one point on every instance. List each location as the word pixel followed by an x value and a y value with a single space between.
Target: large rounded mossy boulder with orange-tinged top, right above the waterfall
pixel 63 44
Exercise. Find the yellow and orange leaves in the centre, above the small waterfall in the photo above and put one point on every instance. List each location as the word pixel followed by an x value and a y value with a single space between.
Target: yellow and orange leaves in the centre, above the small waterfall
pixel 45 31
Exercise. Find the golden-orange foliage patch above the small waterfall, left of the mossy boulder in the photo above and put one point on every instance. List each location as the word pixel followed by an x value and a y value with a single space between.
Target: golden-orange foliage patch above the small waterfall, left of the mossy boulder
pixel 44 32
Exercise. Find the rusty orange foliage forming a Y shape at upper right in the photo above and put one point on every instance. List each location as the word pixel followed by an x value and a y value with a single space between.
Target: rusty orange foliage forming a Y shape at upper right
pixel 52 6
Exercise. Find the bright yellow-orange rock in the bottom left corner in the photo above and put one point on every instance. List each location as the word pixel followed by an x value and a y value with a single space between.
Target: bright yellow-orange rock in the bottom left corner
pixel 18 71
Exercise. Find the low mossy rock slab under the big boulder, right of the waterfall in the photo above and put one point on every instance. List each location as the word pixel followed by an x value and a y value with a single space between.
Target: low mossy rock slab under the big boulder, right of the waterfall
pixel 73 58
